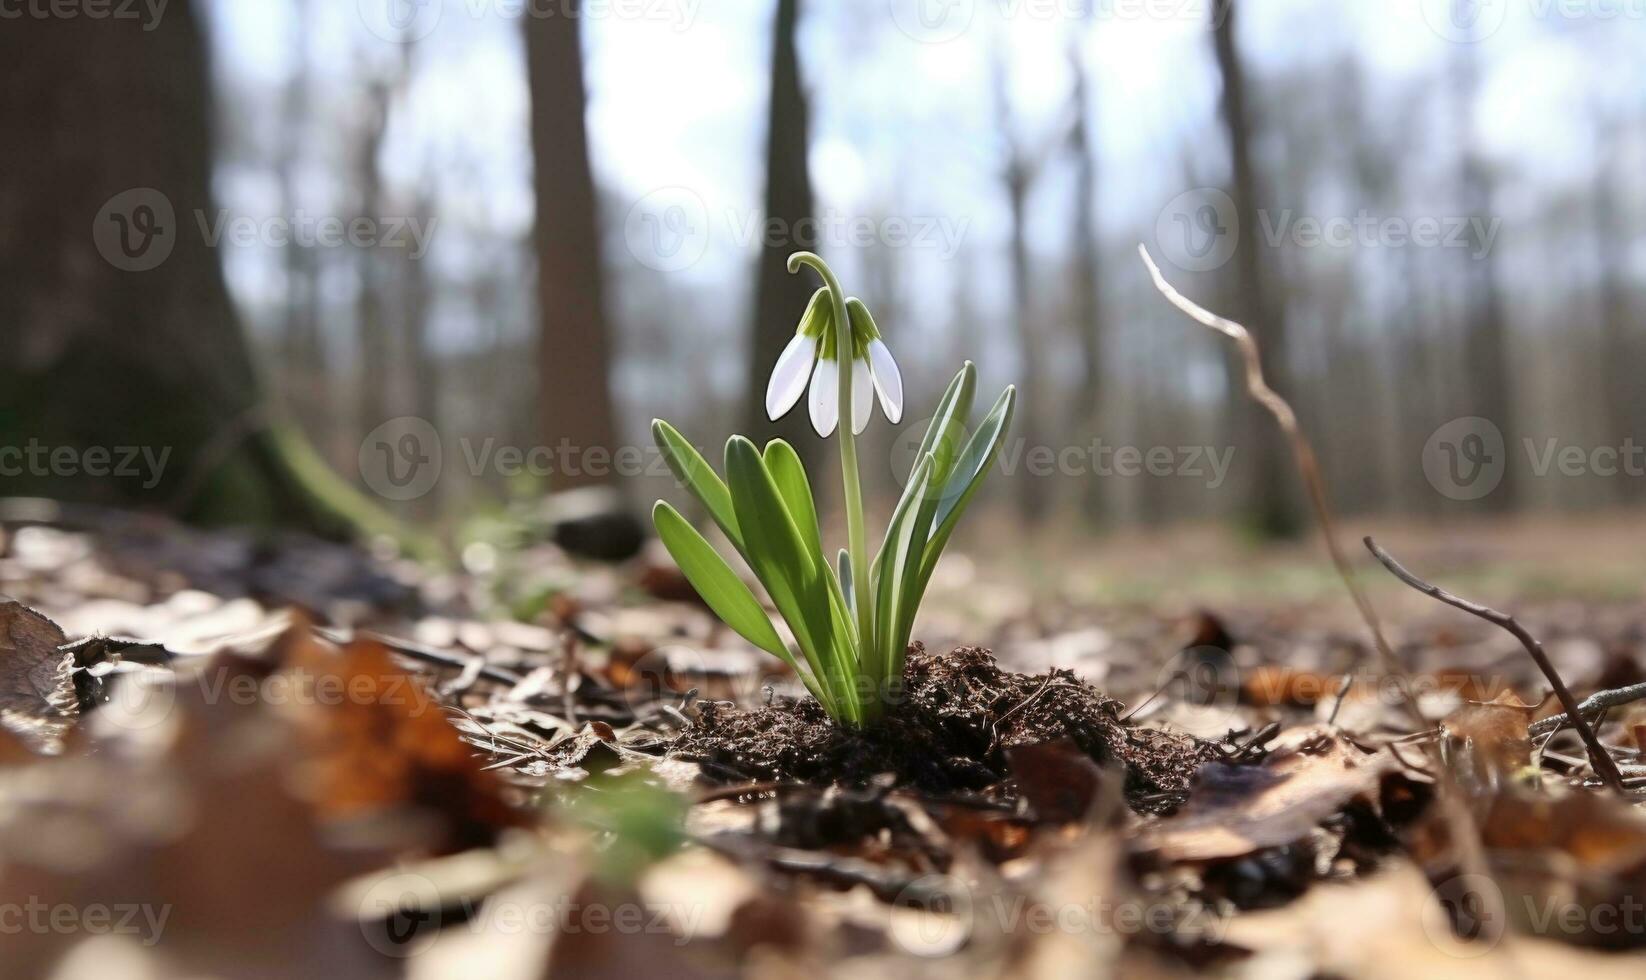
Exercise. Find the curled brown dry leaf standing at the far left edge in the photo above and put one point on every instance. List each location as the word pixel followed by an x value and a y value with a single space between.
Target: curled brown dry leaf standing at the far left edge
pixel 37 679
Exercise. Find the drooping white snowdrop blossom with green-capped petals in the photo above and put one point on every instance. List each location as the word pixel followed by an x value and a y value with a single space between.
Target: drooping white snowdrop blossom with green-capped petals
pixel 812 357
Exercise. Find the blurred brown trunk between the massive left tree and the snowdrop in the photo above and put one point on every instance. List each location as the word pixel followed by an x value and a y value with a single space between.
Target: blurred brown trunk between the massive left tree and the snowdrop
pixel 575 394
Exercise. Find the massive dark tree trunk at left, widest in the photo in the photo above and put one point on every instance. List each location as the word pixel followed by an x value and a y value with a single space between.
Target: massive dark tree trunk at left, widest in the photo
pixel 116 325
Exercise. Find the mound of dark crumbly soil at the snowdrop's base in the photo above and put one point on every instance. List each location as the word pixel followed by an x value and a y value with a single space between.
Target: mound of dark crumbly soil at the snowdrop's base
pixel 952 734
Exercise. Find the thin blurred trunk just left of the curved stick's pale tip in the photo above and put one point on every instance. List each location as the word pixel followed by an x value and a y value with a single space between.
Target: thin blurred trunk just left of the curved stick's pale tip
pixel 1089 302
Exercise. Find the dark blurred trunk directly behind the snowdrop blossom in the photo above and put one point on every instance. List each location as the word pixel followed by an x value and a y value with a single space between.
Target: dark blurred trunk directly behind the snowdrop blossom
pixel 781 297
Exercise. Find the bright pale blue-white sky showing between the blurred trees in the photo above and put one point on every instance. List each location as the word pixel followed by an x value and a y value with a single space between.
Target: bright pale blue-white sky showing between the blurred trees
pixel 903 110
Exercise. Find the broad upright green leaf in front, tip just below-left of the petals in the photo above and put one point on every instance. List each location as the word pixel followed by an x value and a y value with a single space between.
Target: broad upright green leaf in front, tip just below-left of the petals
pixel 793 574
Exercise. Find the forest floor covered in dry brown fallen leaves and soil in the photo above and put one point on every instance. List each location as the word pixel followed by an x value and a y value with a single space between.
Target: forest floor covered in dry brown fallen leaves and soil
pixel 1158 755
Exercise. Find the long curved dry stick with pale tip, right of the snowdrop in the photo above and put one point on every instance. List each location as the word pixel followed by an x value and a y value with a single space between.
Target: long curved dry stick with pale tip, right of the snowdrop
pixel 1306 464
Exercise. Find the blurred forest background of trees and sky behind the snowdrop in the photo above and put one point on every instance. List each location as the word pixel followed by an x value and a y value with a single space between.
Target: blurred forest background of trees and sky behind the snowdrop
pixel 432 258
